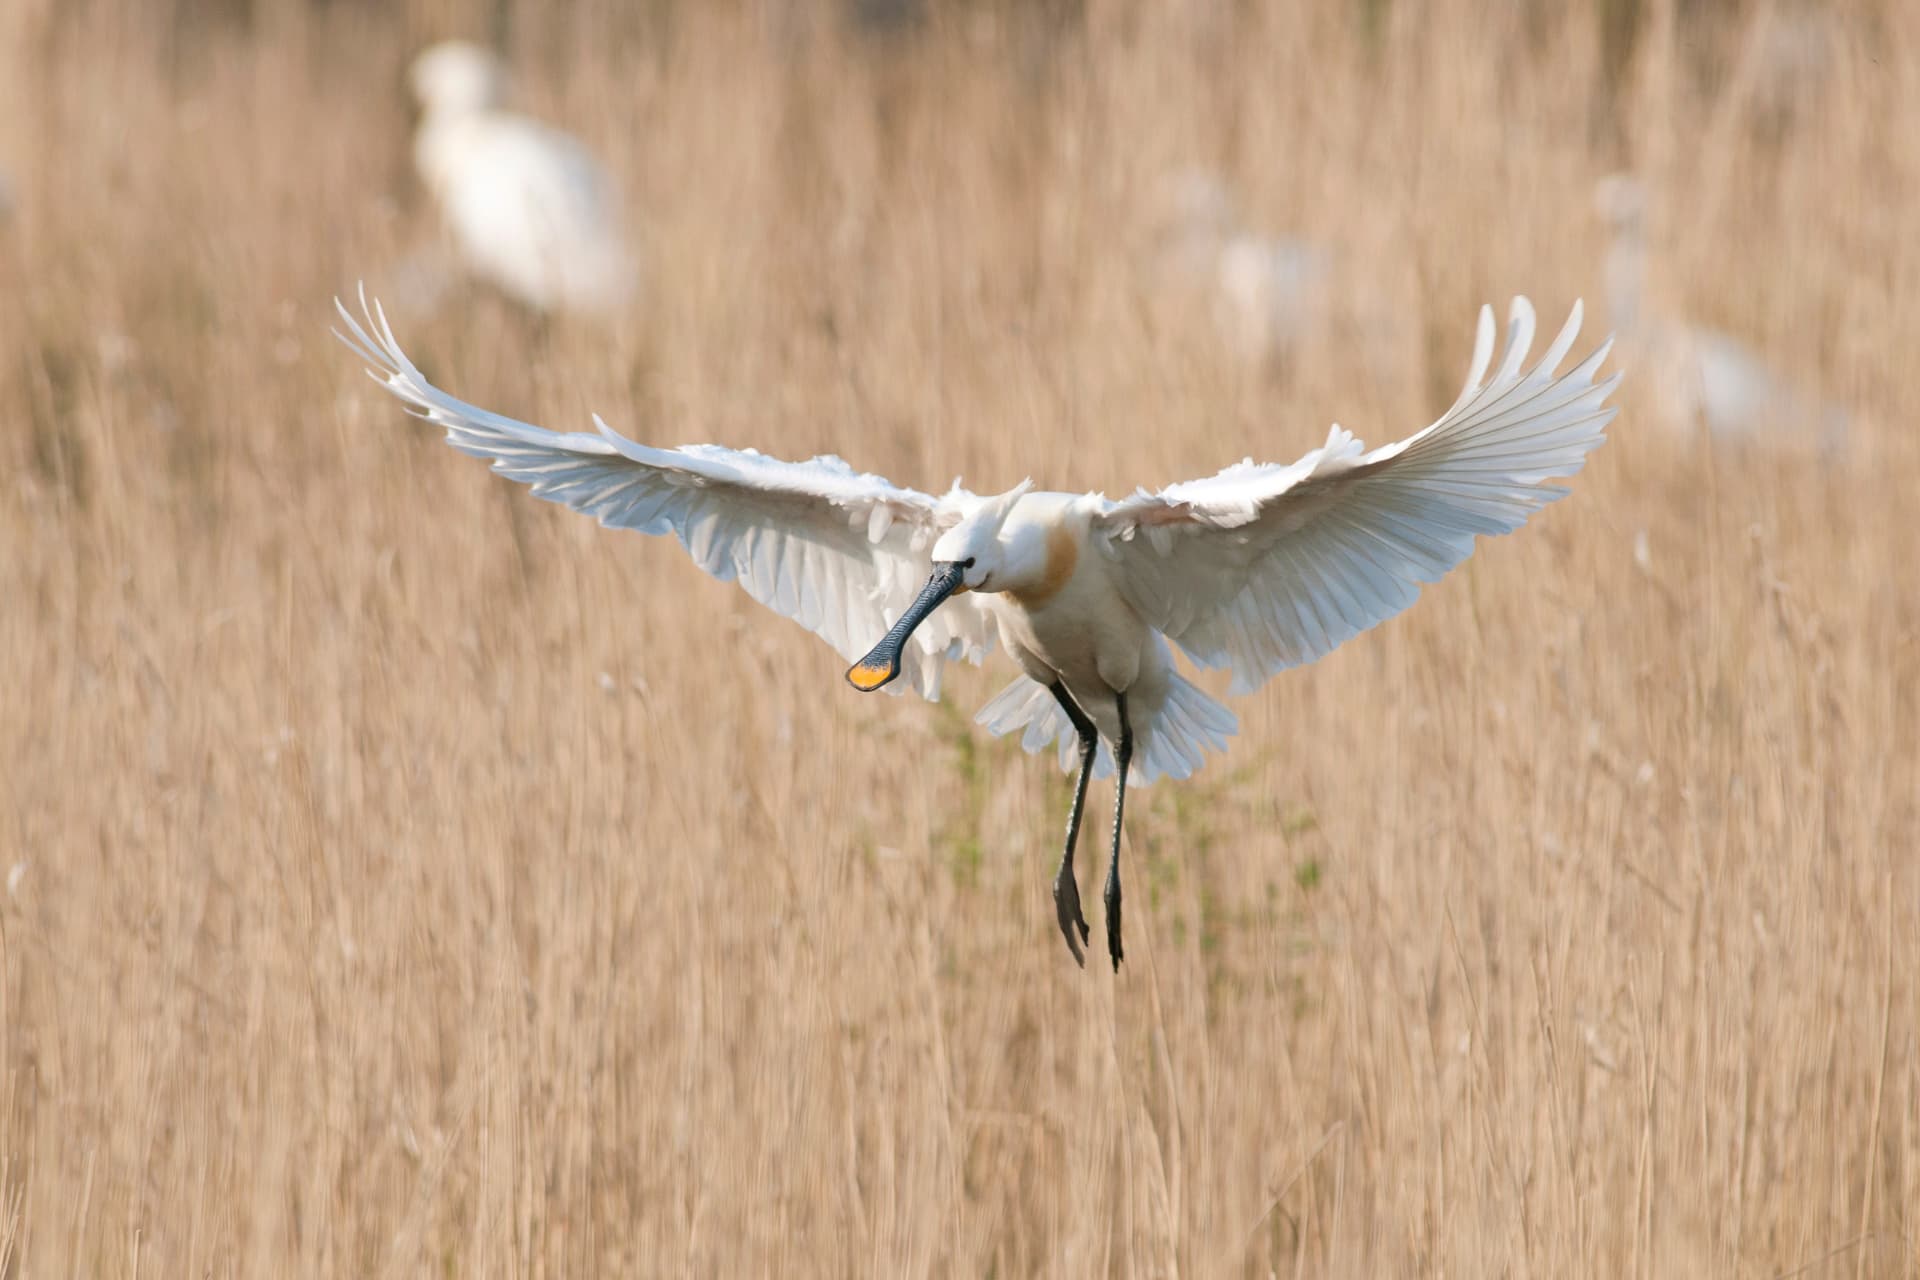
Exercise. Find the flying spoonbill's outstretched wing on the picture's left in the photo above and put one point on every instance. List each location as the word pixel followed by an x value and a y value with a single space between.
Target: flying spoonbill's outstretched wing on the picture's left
pixel 842 554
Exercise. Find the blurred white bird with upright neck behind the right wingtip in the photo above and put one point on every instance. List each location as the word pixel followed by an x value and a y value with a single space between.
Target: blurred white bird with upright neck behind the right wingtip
pixel 1702 375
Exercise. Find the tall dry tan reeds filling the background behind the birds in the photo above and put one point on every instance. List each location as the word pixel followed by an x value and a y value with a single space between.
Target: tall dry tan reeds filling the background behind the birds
pixel 408 878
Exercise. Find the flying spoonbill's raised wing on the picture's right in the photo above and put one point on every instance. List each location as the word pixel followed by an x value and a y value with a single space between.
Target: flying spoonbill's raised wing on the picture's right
pixel 1266 567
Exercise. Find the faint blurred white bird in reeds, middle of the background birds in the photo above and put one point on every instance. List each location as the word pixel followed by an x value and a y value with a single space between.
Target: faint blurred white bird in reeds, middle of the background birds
pixel 1266 293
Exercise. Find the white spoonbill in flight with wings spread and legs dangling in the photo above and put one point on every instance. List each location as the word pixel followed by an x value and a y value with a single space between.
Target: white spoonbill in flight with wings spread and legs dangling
pixel 1257 569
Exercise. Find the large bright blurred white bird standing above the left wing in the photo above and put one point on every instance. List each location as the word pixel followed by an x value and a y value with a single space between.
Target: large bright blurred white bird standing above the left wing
pixel 527 206
